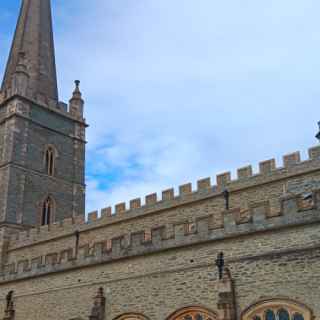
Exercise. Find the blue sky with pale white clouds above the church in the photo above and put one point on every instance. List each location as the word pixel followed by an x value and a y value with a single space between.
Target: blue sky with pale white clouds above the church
pixel 178 90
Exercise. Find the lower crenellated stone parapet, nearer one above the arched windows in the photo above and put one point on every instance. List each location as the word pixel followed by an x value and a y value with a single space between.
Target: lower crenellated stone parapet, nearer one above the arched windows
pixel 295 210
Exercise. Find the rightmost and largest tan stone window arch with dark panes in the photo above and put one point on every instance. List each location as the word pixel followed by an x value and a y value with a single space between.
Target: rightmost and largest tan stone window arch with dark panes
pixel 277 309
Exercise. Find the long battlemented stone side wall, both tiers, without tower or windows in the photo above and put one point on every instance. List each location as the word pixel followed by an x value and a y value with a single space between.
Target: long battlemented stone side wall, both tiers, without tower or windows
pixel 158 257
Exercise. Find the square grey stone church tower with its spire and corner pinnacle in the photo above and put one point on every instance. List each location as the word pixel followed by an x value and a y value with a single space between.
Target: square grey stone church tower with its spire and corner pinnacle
pixel 42 140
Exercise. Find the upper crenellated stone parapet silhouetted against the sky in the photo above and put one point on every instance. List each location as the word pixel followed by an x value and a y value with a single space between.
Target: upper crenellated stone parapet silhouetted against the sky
pixel 268 172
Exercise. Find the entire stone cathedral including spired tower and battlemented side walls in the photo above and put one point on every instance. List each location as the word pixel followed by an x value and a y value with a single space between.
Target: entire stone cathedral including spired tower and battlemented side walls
pixel 246 248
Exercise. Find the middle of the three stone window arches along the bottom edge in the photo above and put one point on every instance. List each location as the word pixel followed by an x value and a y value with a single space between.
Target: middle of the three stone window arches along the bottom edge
pixel 193 313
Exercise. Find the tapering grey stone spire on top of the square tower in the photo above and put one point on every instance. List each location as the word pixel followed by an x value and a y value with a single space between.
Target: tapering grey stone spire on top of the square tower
pixel 34 37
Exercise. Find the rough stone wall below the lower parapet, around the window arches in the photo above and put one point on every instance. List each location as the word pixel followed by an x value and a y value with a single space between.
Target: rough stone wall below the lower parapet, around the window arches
pixel 267 264
